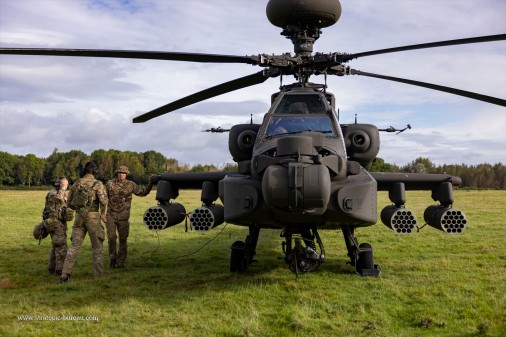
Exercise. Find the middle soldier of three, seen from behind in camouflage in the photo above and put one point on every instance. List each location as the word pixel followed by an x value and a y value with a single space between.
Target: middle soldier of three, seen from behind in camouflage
pixel 87 196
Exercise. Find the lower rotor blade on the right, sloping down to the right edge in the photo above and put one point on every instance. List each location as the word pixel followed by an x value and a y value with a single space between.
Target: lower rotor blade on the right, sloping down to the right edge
pixel 469 94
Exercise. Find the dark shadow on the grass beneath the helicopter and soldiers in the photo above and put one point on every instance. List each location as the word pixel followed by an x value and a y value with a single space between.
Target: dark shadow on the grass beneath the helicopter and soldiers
pixel 153 270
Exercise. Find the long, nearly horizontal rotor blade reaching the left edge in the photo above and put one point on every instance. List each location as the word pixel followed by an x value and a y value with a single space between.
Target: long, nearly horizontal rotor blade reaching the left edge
pixel 132 54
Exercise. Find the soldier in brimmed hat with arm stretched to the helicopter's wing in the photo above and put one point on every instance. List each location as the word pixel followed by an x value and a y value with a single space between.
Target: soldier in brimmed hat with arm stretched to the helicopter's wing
pixel 119 192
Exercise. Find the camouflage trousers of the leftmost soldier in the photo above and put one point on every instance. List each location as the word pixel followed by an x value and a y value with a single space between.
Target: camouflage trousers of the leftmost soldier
pixel 58 232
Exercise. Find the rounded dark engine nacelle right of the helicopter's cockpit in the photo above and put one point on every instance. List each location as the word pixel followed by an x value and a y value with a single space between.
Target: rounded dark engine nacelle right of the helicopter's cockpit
pixel 362 143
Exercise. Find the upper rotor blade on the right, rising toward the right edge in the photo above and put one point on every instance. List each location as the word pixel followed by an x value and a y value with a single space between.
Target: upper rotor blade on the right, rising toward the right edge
pixel 488 38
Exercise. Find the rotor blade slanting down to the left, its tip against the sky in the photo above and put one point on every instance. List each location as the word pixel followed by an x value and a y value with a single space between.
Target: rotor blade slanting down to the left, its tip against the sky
pixel 223 88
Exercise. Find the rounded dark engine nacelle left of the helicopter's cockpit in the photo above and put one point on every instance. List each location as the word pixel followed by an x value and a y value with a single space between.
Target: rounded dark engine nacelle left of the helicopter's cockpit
pixel 241 140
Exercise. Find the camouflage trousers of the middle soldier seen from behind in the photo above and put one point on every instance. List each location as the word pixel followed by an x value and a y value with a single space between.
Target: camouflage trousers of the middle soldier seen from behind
pixel 89 224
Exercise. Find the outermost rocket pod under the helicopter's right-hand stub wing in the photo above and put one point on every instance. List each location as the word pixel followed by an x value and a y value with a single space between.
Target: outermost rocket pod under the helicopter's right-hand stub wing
pixel 449 220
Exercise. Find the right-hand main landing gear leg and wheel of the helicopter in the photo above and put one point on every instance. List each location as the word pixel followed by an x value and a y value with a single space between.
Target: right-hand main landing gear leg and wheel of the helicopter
pixel 361 256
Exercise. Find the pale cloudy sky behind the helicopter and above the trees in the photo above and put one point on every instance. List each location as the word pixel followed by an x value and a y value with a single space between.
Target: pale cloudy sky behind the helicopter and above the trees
pixel 89 103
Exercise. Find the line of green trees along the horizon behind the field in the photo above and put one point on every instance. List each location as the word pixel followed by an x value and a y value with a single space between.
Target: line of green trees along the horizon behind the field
pixel 30 170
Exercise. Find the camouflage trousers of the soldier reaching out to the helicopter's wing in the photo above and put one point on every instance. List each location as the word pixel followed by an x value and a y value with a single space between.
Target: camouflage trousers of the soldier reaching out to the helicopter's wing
pixel 122 227
